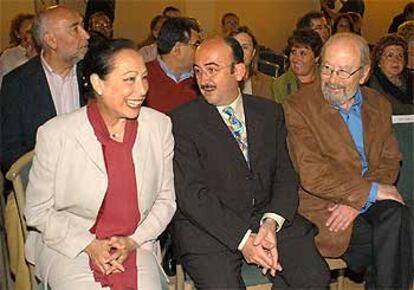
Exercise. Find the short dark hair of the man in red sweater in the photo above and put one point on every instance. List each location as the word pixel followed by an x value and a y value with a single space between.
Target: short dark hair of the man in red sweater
pixel 177 29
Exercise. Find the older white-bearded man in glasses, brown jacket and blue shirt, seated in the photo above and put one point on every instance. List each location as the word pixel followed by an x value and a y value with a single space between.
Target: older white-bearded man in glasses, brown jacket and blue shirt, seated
pixel 341 143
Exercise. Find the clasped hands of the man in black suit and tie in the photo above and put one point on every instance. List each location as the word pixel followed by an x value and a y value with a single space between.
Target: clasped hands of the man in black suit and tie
pixel 261 248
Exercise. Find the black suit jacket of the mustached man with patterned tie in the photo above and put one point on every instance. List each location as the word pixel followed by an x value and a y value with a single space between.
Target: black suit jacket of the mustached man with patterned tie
pixel 218 196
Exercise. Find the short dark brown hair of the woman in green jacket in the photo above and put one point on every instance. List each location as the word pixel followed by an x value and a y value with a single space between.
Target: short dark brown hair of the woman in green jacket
pixel 305 37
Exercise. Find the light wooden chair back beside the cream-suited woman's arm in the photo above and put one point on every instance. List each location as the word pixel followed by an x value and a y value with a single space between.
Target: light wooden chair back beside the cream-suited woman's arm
pixel 18 174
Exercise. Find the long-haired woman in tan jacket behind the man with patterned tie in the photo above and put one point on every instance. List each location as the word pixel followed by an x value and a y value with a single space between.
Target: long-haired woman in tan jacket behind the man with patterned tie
pixel 254 82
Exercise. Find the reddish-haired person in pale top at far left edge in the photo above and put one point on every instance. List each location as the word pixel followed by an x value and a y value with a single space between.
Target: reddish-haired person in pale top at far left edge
pixel 15 55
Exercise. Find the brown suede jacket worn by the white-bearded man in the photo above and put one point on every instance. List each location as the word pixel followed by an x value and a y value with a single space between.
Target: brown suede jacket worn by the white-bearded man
pixel 329 166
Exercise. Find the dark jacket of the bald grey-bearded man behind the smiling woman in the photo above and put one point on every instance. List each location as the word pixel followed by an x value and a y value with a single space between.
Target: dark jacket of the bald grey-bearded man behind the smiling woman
pixel 26 103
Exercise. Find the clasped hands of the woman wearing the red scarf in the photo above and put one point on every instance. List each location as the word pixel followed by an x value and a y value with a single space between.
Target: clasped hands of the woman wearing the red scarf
pixel 109 254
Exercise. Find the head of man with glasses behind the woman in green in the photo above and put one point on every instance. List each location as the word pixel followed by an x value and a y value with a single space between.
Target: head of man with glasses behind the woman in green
pixel 317 22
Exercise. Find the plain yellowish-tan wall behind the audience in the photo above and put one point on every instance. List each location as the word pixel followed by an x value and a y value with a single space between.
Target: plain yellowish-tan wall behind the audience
pixel 271 20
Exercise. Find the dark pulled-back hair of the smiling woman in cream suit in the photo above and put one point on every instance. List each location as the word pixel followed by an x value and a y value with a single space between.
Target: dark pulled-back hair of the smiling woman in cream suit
pixel 99 60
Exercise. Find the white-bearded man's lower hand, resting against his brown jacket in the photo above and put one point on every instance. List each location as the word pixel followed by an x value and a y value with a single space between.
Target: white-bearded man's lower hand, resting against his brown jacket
pixel 341 217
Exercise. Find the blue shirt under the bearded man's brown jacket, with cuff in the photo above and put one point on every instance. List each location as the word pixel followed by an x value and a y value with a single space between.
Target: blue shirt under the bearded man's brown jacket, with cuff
pixel 353 120
